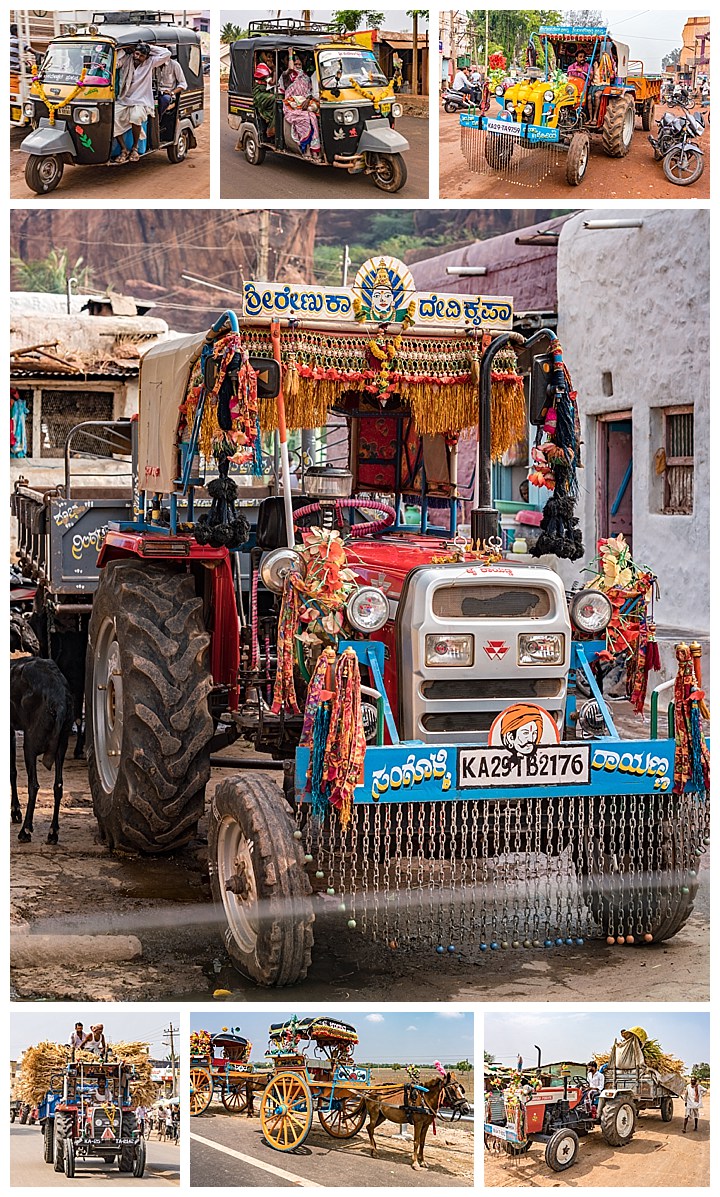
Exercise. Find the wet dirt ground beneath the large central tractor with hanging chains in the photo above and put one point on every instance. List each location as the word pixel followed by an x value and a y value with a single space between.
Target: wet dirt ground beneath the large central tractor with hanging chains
pixel 80 888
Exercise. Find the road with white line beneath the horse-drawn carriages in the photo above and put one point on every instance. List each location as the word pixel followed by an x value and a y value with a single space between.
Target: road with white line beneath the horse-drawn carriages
pixel 231 1151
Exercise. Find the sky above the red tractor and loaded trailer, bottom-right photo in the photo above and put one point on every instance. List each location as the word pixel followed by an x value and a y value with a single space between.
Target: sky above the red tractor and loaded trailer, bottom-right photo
pixel 577 1035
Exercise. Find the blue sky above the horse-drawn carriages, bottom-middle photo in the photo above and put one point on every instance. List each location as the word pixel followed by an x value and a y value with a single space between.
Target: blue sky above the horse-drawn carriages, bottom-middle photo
pixel 407 1038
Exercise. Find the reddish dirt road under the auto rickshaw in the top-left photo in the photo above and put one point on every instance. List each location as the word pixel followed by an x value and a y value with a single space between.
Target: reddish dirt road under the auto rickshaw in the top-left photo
pixel 151 179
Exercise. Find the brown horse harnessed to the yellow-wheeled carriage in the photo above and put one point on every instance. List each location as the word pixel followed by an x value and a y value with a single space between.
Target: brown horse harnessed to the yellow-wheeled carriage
pixel 416 1104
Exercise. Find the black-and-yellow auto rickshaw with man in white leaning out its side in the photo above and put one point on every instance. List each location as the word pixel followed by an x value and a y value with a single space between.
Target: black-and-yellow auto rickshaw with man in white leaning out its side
pixel 74 95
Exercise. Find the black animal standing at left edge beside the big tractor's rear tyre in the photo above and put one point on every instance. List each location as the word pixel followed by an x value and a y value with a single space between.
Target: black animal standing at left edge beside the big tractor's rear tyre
pixel 41 707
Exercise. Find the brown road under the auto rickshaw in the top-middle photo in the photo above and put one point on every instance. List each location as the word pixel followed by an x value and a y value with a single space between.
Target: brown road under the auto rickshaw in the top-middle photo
pixel 285 179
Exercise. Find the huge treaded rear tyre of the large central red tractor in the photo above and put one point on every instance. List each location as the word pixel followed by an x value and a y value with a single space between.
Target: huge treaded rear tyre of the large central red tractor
pixel 149 725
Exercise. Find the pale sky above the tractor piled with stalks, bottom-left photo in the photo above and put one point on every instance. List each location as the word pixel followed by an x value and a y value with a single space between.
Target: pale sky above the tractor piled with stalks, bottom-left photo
pixel 27 1030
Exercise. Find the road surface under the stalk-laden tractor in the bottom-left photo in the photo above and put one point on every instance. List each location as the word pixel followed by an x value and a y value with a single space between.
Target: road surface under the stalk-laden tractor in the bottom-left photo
pixel 28 1169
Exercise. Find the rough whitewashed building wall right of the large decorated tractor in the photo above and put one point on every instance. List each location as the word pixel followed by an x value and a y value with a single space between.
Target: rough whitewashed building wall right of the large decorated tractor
pixel 636 303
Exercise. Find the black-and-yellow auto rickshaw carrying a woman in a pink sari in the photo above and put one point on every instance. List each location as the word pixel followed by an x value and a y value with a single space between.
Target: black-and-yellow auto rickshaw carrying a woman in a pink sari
pixel 355 102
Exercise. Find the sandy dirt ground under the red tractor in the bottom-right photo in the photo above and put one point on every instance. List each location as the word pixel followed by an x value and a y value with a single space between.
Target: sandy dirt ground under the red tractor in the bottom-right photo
pixel 660 1156
